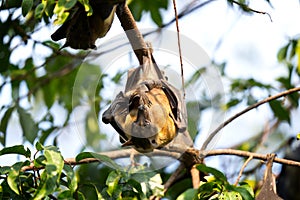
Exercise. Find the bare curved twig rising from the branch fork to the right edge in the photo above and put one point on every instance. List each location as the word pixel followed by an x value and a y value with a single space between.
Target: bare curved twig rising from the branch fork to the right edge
pixel 221 126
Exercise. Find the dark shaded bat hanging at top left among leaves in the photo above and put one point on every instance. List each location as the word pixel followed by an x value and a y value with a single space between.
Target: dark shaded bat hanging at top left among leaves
pixel 81 31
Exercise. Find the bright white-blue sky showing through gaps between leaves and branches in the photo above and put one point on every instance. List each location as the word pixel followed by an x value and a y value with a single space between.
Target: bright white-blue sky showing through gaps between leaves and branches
pixel 249 46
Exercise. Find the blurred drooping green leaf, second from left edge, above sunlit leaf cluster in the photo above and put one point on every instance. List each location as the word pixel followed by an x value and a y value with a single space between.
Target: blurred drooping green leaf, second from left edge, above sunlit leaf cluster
pixel 29 127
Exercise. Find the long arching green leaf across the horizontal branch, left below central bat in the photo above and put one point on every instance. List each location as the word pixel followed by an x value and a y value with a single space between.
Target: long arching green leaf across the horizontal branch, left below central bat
pixel 105 159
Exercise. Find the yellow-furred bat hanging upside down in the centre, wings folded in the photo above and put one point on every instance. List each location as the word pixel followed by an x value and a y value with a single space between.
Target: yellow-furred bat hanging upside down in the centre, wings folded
pixel 150 113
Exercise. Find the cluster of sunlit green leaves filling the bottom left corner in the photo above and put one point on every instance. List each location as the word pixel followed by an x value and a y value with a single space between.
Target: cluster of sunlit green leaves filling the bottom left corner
pixel 50 176
